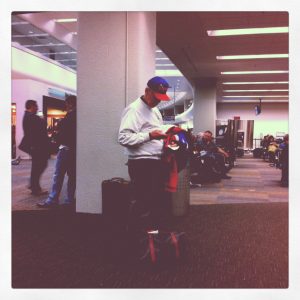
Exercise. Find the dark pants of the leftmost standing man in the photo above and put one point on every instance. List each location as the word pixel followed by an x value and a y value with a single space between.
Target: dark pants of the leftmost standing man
pixel 38 166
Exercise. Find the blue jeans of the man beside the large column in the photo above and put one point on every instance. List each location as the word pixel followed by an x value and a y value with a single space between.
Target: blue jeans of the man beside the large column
pixel 65 163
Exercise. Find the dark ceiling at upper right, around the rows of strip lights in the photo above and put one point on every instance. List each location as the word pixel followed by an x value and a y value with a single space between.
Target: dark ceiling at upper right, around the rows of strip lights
pixel 183 38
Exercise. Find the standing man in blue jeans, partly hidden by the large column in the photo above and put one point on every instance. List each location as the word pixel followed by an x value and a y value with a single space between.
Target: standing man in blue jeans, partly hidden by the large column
pixel 66 157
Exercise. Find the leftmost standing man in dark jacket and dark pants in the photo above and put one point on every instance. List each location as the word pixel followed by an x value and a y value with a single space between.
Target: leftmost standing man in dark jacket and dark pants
pixel 35 133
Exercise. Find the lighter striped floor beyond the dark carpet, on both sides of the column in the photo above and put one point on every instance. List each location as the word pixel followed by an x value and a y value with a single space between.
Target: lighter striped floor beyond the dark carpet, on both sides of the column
pixel 253 181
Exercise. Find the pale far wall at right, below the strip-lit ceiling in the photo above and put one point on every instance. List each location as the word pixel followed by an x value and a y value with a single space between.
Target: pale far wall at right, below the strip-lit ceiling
pixel 272 120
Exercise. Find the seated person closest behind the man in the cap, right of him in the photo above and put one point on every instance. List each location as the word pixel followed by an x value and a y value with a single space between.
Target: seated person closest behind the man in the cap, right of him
pixel 205 143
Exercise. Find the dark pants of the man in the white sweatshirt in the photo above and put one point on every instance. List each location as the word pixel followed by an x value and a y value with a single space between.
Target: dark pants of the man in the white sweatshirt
pixel 152 207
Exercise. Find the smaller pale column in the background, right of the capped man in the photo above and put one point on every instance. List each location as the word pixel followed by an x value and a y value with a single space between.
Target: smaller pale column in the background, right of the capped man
pixel 205 106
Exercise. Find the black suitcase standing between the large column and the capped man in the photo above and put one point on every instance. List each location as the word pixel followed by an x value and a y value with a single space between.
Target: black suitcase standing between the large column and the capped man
pixel 116 204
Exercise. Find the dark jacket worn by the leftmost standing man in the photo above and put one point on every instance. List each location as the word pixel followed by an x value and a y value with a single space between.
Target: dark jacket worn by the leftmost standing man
pixel 35 132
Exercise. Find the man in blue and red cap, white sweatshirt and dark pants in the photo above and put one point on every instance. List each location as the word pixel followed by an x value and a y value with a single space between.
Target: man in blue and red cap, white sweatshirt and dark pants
pixel 142 136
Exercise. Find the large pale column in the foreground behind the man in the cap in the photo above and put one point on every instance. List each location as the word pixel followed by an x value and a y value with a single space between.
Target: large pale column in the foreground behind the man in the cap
pixel 116 57
